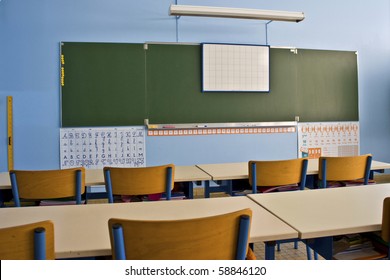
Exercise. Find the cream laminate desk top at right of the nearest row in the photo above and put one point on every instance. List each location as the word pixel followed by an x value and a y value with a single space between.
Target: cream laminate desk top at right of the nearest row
pixel 328 212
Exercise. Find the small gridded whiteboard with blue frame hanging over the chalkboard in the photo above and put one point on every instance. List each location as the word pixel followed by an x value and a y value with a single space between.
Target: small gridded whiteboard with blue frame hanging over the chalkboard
pixel 235 67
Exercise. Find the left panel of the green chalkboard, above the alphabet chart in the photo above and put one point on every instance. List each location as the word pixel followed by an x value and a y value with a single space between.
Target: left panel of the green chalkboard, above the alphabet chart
pixel 103 84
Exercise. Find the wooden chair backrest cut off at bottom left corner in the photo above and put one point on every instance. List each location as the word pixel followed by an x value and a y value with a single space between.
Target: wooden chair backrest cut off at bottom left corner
pixel 28 242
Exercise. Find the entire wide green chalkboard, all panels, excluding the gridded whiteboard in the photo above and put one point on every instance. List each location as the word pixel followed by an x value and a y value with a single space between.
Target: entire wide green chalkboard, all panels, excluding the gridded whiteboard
pixel 123 84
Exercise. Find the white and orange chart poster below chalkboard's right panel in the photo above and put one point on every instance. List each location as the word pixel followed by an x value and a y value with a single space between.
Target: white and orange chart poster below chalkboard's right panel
pixel 328 139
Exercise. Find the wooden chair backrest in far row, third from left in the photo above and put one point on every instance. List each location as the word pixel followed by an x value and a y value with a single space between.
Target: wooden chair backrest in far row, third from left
pixel 277 173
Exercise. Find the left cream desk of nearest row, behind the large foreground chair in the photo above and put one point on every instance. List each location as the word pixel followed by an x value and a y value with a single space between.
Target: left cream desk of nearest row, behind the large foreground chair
pixel 82 230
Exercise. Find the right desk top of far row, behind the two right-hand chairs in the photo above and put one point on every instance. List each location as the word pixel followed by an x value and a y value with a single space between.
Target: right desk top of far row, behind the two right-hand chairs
pixel 239 170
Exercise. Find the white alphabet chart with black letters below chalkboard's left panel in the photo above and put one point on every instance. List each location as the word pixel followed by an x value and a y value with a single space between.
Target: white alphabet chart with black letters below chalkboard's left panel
pixel 102 146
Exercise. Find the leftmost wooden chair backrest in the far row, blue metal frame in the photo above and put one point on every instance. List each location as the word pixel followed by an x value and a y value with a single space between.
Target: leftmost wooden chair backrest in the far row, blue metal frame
pixel 47 184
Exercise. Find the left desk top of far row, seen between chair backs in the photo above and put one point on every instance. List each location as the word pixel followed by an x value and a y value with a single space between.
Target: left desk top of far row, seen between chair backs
pixel 95 177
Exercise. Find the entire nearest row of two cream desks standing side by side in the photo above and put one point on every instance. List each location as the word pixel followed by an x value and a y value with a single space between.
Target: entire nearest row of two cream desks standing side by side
pixel 82 231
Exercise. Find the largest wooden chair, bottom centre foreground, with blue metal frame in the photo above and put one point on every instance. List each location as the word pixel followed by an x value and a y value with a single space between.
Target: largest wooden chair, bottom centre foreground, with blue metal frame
pixel 220 237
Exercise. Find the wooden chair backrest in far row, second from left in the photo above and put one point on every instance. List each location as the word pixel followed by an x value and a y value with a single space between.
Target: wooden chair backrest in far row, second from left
pixel 139 180
